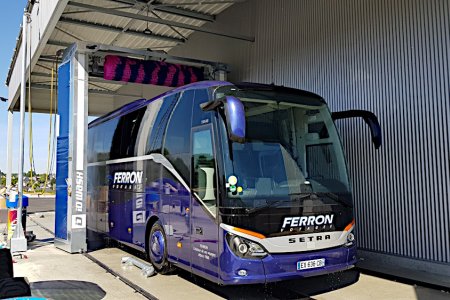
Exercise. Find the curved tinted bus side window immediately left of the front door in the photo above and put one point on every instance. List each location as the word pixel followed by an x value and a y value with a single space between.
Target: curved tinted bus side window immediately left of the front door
pixel 177 139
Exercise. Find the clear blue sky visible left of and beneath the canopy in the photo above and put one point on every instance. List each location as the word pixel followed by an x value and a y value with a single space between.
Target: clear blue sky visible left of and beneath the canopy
pixel 11 13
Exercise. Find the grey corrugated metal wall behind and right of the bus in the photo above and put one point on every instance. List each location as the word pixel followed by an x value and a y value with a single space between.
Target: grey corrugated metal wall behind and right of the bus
pixel 390 57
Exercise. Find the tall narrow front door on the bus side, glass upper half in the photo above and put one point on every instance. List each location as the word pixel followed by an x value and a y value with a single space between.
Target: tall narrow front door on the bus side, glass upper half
pixel 205 232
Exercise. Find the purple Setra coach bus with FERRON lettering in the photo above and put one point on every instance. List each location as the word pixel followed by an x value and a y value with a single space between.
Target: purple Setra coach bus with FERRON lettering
pixel 237 183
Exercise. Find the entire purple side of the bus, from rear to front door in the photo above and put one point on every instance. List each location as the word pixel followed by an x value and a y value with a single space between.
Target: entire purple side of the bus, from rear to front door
pixel 129 185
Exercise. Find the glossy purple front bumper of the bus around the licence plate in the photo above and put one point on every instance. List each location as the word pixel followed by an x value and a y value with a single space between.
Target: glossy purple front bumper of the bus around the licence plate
pixel 277 267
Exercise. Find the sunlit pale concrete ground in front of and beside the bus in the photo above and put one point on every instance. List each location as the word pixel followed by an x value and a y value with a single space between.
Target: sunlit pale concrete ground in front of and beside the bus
pixel 46 263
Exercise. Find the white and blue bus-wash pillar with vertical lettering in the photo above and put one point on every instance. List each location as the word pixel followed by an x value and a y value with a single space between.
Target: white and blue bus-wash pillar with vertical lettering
pixel 71 193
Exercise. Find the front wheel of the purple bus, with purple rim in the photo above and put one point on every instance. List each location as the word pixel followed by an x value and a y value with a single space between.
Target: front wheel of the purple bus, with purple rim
pixel 157 249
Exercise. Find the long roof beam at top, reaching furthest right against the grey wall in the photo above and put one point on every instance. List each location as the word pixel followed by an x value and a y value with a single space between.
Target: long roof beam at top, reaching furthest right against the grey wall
pixel 160 21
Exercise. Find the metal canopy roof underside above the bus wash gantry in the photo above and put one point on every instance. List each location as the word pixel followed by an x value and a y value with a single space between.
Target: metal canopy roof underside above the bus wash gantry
pixel 137 28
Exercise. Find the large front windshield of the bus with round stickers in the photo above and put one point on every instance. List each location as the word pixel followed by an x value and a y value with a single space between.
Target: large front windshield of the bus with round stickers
pixel 292 149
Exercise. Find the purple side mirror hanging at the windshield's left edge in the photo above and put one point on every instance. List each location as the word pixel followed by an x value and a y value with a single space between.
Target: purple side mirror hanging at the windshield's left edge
pixel 234 115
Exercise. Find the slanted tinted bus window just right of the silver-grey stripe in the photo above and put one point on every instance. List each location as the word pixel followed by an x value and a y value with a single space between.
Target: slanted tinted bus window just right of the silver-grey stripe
pixel 163 110
